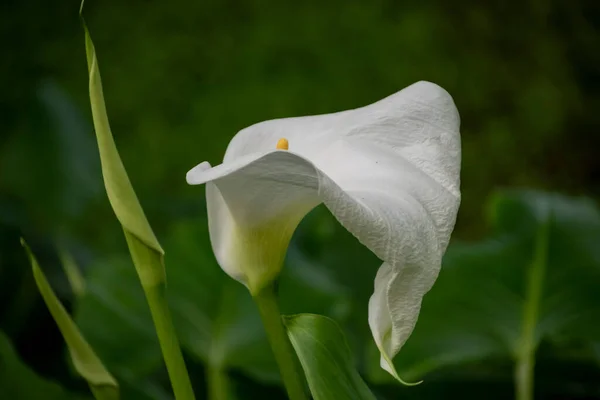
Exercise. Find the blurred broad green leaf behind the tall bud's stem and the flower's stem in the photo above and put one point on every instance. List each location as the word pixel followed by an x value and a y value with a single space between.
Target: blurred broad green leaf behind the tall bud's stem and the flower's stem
pixel 216 319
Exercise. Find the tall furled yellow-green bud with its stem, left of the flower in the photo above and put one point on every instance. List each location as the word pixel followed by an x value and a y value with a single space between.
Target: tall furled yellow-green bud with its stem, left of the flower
pixel 146 252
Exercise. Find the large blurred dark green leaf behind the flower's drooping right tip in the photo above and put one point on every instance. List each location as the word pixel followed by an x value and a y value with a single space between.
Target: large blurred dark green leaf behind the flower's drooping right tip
pixel 536 279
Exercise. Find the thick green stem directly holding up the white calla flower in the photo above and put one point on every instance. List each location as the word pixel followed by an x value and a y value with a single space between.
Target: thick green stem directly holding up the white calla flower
pixel 280 343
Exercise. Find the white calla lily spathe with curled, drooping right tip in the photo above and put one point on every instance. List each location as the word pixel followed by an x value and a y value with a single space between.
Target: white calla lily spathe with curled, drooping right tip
pixel 389 173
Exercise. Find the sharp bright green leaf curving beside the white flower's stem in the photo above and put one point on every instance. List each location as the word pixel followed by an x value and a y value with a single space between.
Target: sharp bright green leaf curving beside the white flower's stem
pixel 326 359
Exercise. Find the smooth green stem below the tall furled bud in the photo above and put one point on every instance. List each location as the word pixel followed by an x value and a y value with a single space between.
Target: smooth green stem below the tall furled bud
pixel 182 387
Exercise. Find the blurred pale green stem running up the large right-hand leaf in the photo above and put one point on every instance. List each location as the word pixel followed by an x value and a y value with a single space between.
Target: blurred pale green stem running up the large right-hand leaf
pixel 525 357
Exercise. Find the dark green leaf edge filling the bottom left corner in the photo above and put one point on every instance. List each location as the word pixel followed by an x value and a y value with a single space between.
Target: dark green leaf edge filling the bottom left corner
pixel 18 381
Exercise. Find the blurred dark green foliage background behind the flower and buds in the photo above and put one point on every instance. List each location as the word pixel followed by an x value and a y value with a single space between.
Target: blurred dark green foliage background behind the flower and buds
pixel 181 78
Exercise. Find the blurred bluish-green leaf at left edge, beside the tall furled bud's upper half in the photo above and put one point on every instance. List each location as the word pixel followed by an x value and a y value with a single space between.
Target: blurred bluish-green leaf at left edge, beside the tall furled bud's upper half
pixel 61 160
